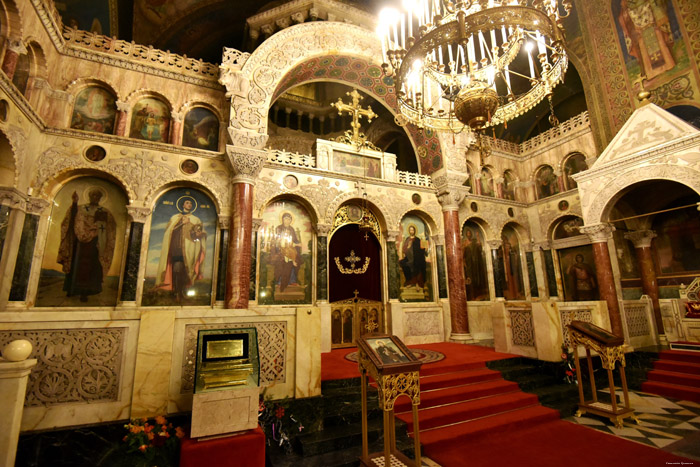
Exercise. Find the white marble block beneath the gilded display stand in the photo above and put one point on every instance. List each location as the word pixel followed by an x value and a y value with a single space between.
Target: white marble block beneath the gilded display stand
pixel 223 412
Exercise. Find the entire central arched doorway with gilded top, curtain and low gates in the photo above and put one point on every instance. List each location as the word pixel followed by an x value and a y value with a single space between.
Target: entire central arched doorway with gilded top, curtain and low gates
pixel 355 276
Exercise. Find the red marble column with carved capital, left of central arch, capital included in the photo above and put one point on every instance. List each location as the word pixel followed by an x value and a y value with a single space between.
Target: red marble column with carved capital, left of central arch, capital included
pixel 246 164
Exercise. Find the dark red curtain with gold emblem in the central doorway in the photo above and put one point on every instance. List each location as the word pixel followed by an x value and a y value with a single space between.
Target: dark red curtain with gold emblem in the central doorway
pixel 369 284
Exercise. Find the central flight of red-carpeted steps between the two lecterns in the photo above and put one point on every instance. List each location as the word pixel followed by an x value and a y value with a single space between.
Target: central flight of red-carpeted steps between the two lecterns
pixel 462 405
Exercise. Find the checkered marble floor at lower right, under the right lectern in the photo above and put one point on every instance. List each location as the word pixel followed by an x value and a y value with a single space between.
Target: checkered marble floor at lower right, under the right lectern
pixel 668 424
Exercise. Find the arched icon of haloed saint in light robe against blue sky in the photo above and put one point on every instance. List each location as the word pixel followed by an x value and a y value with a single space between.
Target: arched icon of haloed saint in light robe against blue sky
pixel 180 254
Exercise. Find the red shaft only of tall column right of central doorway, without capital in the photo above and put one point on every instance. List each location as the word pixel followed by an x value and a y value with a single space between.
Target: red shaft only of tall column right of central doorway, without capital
pixel 455 275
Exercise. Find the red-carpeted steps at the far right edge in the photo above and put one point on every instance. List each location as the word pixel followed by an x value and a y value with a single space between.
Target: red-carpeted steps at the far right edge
pixel 676 374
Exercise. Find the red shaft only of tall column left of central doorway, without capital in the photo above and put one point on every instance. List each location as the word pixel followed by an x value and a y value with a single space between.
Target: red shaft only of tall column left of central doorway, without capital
pixel 239 248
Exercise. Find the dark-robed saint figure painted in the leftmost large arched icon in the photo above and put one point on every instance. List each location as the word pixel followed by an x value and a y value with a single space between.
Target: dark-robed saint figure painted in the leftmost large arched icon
pixel 88 235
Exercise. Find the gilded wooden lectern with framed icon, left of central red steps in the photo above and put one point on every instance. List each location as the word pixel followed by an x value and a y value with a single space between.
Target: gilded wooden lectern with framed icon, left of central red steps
pixel 396 371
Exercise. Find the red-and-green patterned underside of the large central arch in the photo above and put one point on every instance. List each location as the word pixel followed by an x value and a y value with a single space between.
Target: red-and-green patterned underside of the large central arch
pixel 369 78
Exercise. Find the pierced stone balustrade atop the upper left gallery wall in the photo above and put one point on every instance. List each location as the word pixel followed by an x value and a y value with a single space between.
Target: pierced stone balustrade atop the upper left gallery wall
pixel 133 51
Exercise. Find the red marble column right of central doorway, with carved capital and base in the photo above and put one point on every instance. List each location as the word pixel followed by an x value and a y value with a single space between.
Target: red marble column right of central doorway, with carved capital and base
pixel 449 198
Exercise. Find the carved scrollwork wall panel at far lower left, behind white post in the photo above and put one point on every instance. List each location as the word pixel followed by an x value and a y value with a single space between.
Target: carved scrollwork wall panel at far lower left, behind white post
pixel 76 365
